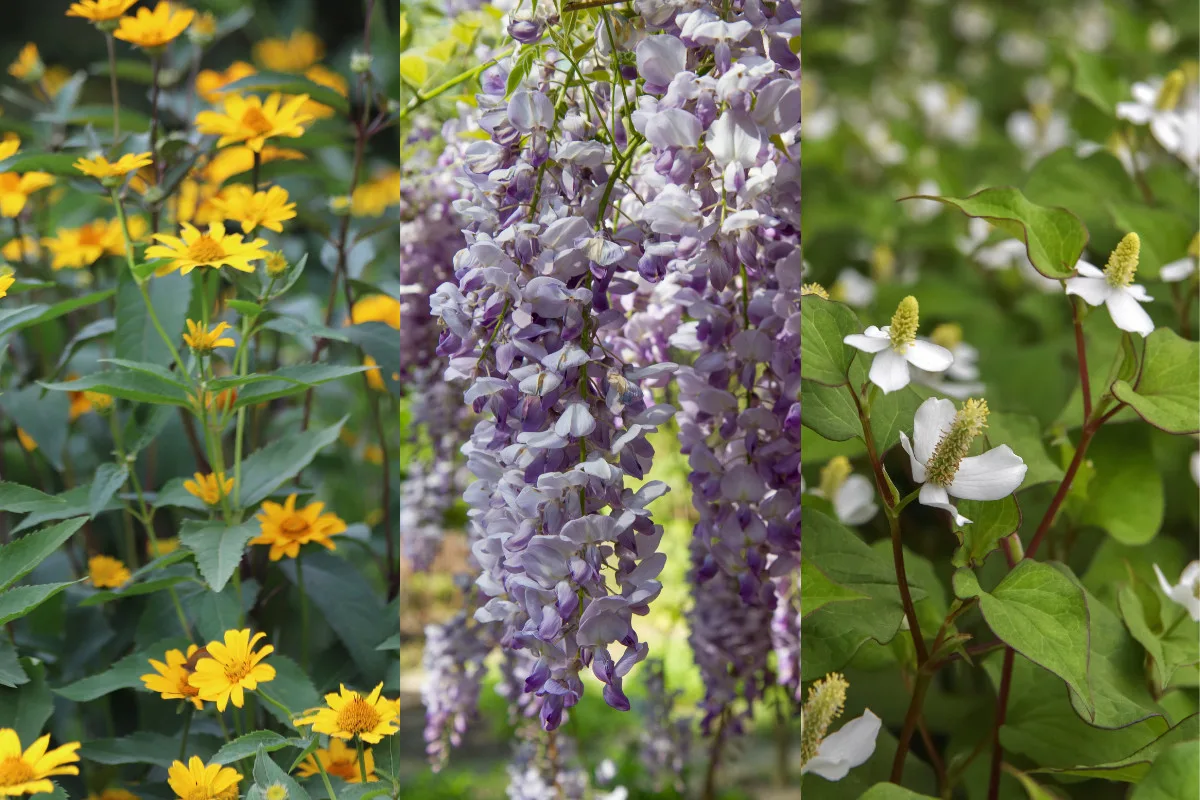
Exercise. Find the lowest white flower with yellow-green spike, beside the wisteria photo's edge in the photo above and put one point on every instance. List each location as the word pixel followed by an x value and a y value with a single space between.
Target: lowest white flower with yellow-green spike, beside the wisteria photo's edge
pixel 833 756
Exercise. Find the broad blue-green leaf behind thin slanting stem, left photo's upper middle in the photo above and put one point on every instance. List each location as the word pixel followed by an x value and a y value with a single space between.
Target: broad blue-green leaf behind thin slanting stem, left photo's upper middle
pixel 136 338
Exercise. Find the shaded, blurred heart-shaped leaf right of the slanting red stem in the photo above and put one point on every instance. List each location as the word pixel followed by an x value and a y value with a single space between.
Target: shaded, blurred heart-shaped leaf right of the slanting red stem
pixel 1126 495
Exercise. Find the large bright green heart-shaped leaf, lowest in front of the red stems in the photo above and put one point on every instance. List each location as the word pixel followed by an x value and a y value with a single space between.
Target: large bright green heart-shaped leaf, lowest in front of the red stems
pixel 1041 613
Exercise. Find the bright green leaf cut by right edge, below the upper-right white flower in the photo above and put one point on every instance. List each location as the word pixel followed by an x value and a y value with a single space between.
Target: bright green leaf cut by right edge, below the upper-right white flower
pixel 1168 392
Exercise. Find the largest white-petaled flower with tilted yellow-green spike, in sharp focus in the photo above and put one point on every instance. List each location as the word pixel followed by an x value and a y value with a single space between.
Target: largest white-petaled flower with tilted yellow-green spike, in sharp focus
pixel 938 455
